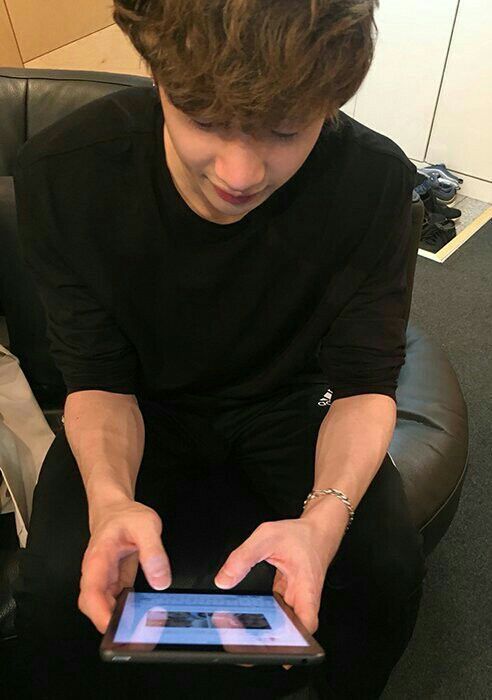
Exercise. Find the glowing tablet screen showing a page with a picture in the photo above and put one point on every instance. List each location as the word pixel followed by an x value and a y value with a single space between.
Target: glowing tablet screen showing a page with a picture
pixel 206 619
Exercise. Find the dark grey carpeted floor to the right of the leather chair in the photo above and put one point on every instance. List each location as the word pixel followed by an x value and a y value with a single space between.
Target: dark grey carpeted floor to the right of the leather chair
pixel 450 654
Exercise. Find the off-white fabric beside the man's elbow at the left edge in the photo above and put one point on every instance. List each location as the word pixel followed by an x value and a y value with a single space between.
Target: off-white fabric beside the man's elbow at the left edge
pixel 25 437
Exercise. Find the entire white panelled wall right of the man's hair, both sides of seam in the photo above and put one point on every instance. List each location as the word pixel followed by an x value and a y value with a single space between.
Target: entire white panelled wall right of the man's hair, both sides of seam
pixel 430 86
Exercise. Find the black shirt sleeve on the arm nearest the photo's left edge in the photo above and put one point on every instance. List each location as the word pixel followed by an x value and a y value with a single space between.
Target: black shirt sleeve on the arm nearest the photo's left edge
pixel 87 346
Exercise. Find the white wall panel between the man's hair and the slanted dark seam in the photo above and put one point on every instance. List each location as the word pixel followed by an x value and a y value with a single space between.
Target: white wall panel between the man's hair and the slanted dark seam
pixel 400 91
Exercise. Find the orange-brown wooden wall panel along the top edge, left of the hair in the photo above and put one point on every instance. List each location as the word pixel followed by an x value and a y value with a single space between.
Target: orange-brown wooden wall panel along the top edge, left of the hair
pixel 41 27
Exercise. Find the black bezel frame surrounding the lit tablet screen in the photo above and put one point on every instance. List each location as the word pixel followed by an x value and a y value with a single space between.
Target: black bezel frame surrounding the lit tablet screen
pixel 194 653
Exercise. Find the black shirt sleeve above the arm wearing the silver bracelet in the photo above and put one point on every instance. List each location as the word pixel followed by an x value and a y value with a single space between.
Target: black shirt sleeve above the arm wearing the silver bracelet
pixel 364 348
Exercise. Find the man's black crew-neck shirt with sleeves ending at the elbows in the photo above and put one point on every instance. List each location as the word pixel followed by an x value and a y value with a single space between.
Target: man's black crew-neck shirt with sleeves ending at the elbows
pixel 144 296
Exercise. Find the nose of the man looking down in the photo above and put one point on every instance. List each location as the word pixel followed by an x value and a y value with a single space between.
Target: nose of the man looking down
pixel 239 169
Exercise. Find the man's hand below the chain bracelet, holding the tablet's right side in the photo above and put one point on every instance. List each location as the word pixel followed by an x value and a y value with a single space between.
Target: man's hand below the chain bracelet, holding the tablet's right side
pixel 301 550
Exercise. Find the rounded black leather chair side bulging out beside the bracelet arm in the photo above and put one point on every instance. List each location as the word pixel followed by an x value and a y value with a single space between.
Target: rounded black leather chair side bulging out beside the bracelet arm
pixel 430 443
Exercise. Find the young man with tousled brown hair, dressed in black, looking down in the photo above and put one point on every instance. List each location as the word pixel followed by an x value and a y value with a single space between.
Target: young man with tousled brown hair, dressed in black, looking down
pixel 226 262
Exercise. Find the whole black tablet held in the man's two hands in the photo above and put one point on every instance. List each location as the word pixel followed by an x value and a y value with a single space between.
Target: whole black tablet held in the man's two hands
pixel 189 626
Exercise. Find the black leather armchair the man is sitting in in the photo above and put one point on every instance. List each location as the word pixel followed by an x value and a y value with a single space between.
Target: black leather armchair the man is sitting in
pixel 430 444
